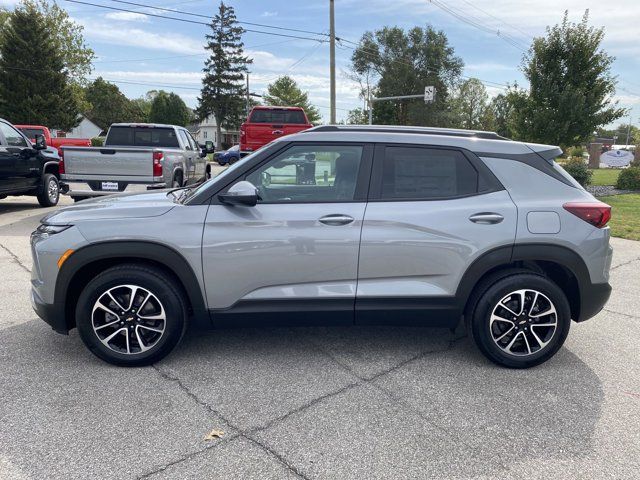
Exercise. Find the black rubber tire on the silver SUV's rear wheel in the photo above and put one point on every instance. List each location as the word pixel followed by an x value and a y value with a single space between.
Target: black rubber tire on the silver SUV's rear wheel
pixel 489 296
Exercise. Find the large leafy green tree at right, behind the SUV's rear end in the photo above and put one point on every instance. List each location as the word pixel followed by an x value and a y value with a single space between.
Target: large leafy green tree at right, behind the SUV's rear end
pixel 570 86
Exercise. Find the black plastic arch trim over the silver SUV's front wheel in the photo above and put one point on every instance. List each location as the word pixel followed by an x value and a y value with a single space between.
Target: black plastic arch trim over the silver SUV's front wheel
pixel 164 255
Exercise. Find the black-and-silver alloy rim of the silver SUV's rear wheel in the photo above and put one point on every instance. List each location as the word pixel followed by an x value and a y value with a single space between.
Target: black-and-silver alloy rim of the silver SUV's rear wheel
pixel 523 322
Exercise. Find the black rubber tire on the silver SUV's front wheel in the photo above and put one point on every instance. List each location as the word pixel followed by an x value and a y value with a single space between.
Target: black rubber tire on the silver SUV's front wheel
pixel 167 294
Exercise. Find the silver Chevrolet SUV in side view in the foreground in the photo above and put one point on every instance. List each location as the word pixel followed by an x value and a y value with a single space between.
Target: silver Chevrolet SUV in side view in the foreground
pixel 337 225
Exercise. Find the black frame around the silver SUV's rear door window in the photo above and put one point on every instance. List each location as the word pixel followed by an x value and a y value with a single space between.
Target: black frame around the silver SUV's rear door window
pixel 375 190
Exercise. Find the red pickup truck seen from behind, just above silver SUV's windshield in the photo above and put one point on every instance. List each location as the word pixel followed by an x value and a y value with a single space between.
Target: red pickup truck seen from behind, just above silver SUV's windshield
pixel 265 124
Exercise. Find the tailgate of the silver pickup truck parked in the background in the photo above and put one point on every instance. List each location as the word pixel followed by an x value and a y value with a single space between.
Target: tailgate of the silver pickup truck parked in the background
pixel 107 163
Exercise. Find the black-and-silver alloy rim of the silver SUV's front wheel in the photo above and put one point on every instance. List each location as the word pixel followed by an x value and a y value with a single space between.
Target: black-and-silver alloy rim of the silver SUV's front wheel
pixel 128 319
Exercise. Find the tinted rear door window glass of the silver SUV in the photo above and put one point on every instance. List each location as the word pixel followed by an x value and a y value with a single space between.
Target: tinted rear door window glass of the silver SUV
pixel 416 173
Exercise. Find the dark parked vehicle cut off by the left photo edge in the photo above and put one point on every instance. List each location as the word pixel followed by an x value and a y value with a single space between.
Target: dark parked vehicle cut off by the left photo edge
pixel 24 170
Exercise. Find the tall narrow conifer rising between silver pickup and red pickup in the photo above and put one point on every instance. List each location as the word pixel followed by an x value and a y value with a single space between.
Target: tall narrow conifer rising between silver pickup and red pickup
pixel 223 91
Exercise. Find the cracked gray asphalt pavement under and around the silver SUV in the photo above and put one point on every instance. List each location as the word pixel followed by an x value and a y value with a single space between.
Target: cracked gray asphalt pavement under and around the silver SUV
pixel 333 403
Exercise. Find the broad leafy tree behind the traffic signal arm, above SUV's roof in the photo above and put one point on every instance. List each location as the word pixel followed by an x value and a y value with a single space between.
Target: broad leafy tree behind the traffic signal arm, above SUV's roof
pixel 403 63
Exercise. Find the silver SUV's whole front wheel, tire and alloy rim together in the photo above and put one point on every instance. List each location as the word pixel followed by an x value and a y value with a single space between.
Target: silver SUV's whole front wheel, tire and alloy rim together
pixel 131 315
